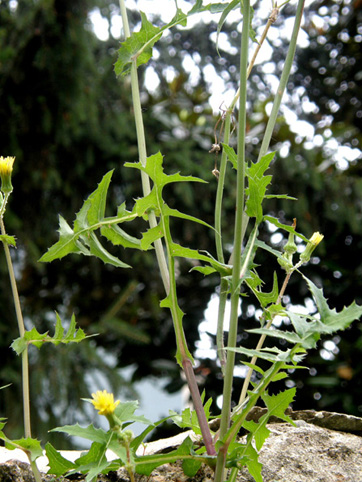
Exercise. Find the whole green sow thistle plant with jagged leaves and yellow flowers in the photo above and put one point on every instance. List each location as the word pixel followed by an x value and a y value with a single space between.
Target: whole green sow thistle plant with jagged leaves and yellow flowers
pixel 221 450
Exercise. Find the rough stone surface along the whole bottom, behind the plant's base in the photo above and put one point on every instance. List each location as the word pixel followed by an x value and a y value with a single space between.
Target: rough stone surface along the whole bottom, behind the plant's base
pixel 305 453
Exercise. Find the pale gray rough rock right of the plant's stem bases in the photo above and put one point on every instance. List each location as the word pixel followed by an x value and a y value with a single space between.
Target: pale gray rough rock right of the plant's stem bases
pixel 308 453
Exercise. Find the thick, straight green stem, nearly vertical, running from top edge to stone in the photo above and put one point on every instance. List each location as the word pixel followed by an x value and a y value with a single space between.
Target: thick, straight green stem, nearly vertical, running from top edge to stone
pixel 235 284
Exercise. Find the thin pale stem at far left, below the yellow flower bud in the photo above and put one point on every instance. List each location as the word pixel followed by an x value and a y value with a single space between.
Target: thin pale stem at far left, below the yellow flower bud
pixel 21 327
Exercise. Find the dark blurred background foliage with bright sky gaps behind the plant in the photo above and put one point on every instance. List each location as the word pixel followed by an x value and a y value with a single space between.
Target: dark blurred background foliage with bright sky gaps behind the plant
pixel 68 121
